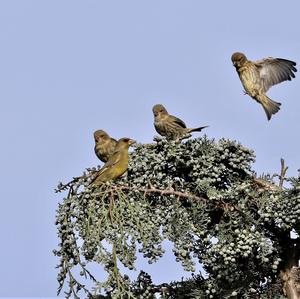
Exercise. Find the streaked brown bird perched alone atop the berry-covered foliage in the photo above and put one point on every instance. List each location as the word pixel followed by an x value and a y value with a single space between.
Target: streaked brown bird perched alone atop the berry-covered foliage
pixel 170 126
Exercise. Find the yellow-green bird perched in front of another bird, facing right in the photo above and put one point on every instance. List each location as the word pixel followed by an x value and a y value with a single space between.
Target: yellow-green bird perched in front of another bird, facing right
pixel 117 163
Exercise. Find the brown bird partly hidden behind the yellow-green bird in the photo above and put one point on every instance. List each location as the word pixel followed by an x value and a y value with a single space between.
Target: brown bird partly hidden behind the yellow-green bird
pixel 104 145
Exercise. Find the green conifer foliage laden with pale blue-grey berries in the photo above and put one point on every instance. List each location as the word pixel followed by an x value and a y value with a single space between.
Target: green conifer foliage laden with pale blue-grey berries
pixel 201 195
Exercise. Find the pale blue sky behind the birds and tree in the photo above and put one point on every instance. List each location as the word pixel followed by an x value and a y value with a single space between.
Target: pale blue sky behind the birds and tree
pixel 70 67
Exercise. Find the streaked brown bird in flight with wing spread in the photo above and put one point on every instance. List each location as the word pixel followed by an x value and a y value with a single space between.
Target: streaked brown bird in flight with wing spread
pixel 258 76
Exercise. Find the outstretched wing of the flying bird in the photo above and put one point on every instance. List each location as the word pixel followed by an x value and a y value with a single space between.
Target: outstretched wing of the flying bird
pixel 275 70
